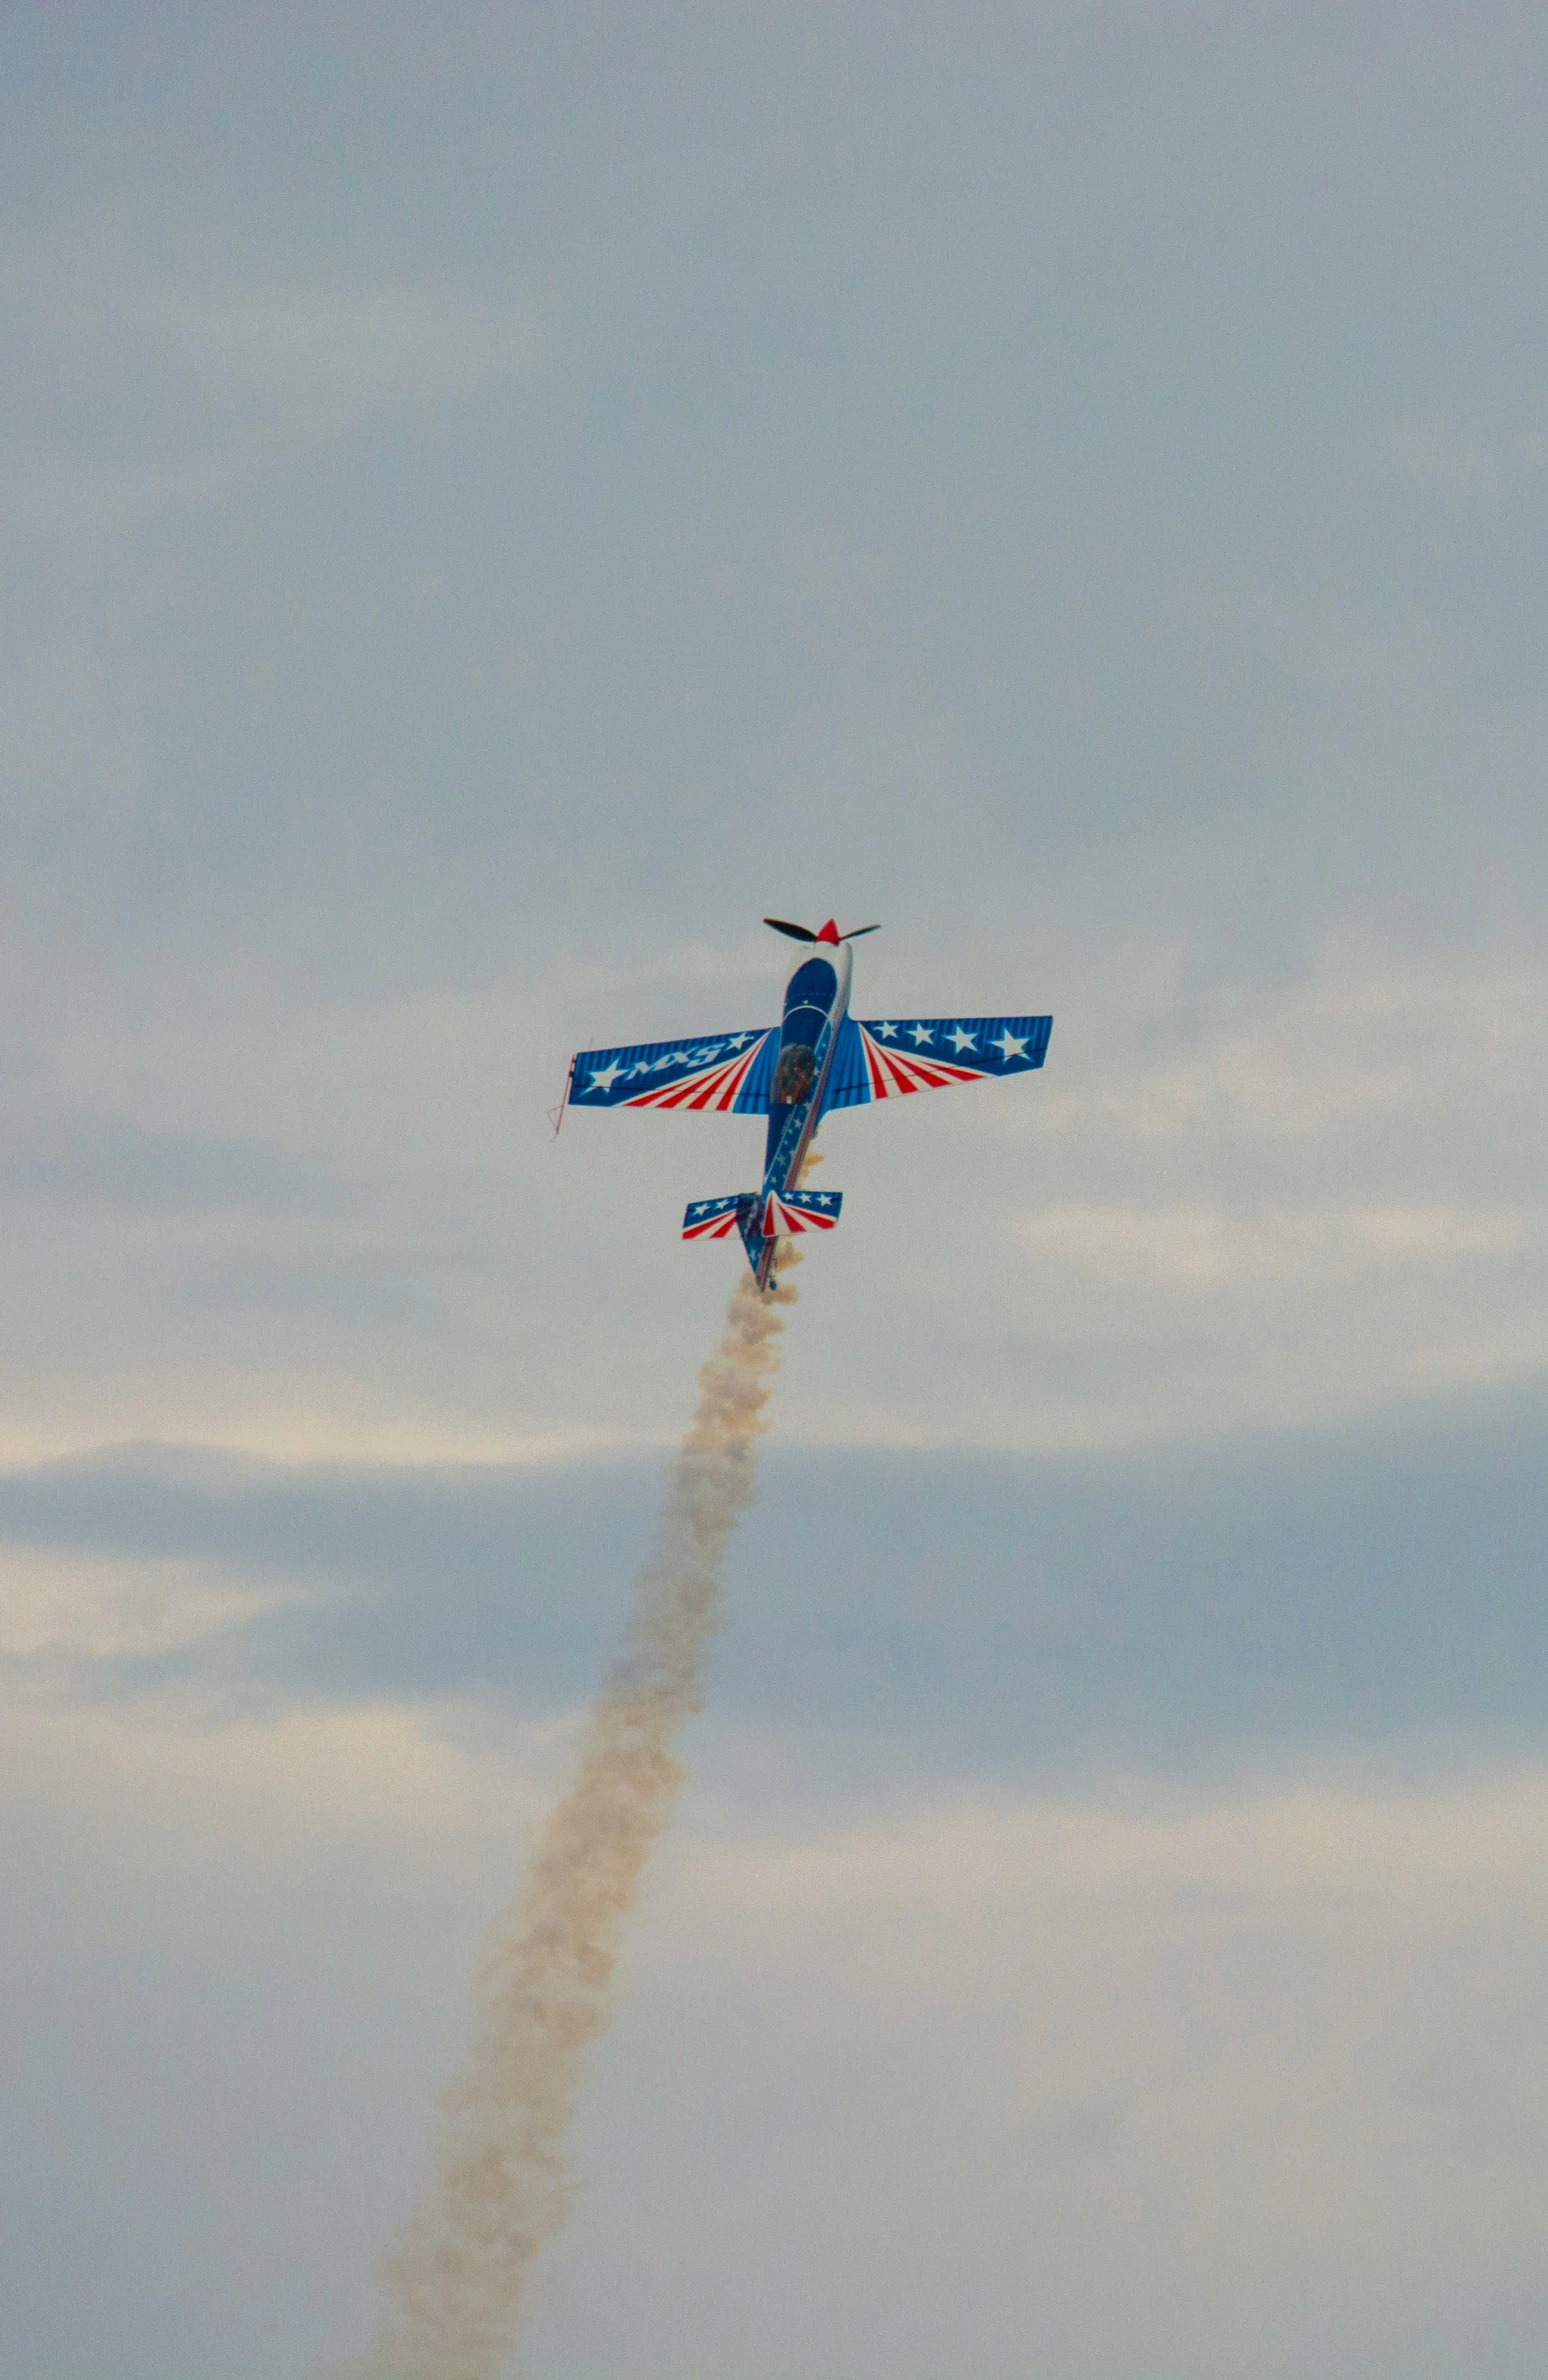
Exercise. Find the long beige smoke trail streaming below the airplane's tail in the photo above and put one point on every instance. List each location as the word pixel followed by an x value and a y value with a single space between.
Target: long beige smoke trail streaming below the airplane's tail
pixel 504 2186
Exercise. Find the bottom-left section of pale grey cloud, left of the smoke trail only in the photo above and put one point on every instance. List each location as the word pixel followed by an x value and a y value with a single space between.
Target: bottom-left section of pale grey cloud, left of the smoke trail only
pixel 216 1962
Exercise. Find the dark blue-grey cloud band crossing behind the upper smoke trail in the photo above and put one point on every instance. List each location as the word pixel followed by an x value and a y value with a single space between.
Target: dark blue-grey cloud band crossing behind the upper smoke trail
pixel 1361 1593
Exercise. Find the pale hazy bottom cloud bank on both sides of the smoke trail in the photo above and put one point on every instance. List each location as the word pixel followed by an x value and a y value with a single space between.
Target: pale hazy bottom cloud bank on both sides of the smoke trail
pixel 1111 2077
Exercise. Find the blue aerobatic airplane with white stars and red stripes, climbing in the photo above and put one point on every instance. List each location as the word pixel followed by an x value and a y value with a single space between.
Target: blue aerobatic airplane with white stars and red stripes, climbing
pixel 794 1075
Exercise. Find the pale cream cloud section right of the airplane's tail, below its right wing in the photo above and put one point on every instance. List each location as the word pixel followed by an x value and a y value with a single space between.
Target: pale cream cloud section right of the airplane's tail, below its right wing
pixel 1261 1205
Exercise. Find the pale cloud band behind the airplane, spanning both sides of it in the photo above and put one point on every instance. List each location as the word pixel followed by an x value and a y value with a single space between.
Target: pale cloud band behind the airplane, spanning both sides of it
pixel 1309 1201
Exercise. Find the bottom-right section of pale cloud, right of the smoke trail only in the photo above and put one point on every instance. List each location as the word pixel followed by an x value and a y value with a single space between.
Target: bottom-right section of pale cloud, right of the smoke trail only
pixel 1221 2086
